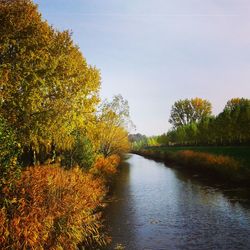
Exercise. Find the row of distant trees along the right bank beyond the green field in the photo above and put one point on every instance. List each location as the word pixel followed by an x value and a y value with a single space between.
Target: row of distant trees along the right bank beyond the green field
pixel 194 124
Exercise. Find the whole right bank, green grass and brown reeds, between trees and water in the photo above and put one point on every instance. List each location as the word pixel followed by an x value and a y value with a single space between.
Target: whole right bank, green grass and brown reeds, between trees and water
pixel 226 163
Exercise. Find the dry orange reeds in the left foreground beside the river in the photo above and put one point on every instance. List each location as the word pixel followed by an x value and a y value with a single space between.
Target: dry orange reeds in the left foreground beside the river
pixel 52 208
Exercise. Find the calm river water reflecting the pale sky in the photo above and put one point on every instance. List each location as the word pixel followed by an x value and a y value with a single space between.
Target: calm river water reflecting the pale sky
pixel 156 207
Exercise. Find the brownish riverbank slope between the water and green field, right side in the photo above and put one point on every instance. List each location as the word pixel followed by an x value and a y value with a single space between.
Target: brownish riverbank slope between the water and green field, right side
pixel 225 168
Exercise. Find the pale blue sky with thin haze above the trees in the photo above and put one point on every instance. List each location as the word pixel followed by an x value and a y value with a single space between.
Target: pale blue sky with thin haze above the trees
pixel 155 52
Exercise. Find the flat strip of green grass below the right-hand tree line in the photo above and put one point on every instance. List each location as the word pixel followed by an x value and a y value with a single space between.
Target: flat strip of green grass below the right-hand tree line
pixel 239 153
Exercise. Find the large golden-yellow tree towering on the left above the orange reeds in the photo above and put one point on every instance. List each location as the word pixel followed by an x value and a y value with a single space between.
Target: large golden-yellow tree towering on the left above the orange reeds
pixel 47 88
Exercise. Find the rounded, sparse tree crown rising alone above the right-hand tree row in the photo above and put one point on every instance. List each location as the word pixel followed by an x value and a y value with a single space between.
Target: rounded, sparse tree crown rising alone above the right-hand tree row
pixel 186 111
